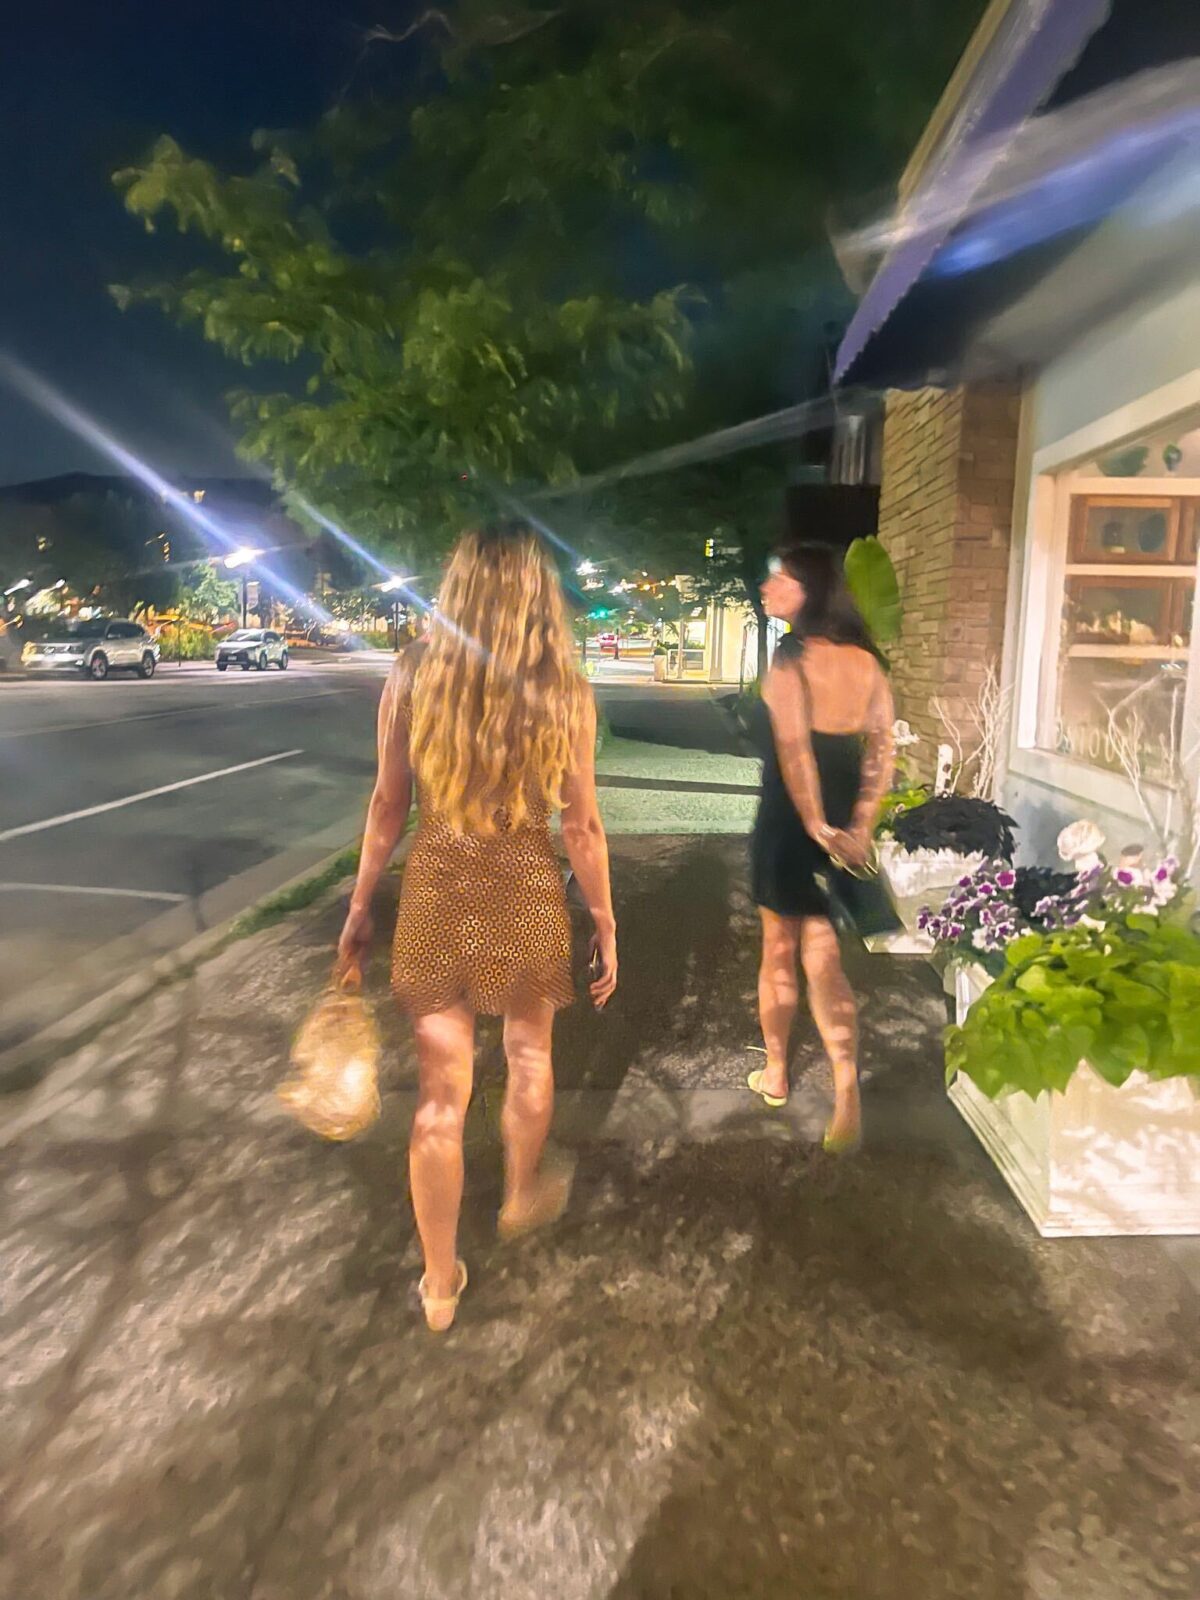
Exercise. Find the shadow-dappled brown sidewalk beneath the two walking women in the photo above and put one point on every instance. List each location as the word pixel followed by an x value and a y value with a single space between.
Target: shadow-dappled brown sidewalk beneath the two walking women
pixel 737 1369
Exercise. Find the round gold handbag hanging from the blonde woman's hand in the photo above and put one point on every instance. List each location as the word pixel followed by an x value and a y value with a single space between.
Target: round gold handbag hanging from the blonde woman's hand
pixel 335 1089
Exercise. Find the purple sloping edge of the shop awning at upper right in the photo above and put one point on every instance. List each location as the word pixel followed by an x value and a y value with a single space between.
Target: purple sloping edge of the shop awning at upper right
pixel 1036 46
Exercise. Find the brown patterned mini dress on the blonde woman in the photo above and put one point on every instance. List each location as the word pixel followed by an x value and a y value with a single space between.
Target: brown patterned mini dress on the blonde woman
pixel 482 921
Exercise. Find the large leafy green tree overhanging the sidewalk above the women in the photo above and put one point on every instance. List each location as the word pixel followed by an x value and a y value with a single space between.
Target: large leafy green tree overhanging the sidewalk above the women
pixel 574 236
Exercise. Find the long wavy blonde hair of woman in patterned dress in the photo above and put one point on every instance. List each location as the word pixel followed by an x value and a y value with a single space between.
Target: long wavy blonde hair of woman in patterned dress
pixel 497 700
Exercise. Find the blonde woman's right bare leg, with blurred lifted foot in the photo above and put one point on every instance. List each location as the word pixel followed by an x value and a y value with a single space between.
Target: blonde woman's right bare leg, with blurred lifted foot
pixel 530 1194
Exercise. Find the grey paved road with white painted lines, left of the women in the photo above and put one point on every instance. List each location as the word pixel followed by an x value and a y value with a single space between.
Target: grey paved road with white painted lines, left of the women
pixel 140 812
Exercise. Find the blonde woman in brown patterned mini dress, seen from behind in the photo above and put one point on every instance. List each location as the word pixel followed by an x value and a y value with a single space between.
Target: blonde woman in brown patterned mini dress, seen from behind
pixel 492 722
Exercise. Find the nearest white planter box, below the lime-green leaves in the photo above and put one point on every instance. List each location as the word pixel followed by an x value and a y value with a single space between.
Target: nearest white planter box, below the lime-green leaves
pixel 1095 1161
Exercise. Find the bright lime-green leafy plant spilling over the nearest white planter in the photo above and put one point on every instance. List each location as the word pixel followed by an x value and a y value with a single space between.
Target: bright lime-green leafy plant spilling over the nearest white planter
pixel 1122 998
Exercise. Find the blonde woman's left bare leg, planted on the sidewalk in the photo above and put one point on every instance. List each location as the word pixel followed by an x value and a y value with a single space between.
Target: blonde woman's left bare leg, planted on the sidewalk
pixel 446 1049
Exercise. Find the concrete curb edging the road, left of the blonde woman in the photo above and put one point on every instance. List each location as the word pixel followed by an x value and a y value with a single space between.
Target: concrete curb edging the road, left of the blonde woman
pixel 20 1066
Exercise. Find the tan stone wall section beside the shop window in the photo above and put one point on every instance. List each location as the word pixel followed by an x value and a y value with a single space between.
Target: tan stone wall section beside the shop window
pixel 946 513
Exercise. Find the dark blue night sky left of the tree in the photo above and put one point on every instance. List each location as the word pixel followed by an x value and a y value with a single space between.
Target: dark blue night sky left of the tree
pixel 84 89
